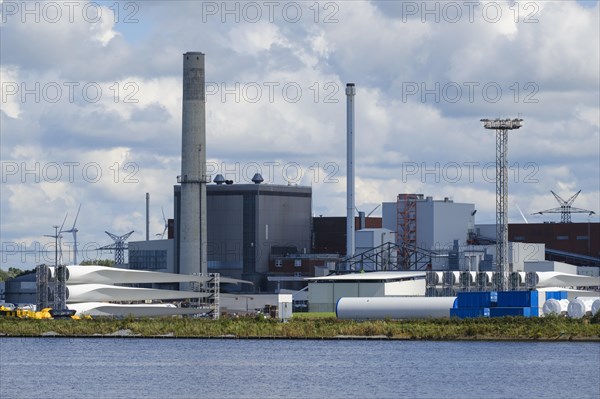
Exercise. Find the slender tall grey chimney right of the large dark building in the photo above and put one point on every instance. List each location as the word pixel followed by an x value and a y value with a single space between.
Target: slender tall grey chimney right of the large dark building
pixel 350 93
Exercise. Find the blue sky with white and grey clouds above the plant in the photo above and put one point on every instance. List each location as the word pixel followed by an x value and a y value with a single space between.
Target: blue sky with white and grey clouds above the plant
pixel 90 108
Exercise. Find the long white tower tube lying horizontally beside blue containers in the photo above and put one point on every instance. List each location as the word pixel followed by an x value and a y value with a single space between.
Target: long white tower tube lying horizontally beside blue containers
pixel 376 308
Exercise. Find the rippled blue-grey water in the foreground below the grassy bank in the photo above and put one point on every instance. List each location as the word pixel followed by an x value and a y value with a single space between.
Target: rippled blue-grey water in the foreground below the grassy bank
pixel 181 368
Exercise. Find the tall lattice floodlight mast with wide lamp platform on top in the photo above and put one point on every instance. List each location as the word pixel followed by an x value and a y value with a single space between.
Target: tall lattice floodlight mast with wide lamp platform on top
pixel 502 126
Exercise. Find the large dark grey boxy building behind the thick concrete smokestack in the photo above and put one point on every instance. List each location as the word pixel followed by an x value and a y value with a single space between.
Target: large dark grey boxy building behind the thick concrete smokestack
pixel 248 224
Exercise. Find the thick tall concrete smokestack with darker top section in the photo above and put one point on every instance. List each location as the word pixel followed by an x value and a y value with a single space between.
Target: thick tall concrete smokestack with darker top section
pixel 192 247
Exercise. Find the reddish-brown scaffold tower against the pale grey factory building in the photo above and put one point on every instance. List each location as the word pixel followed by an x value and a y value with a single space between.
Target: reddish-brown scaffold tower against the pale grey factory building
pixel 406 226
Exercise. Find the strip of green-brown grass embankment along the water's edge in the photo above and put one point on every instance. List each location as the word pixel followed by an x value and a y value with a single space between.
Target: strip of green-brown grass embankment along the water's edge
pixel 323 327
